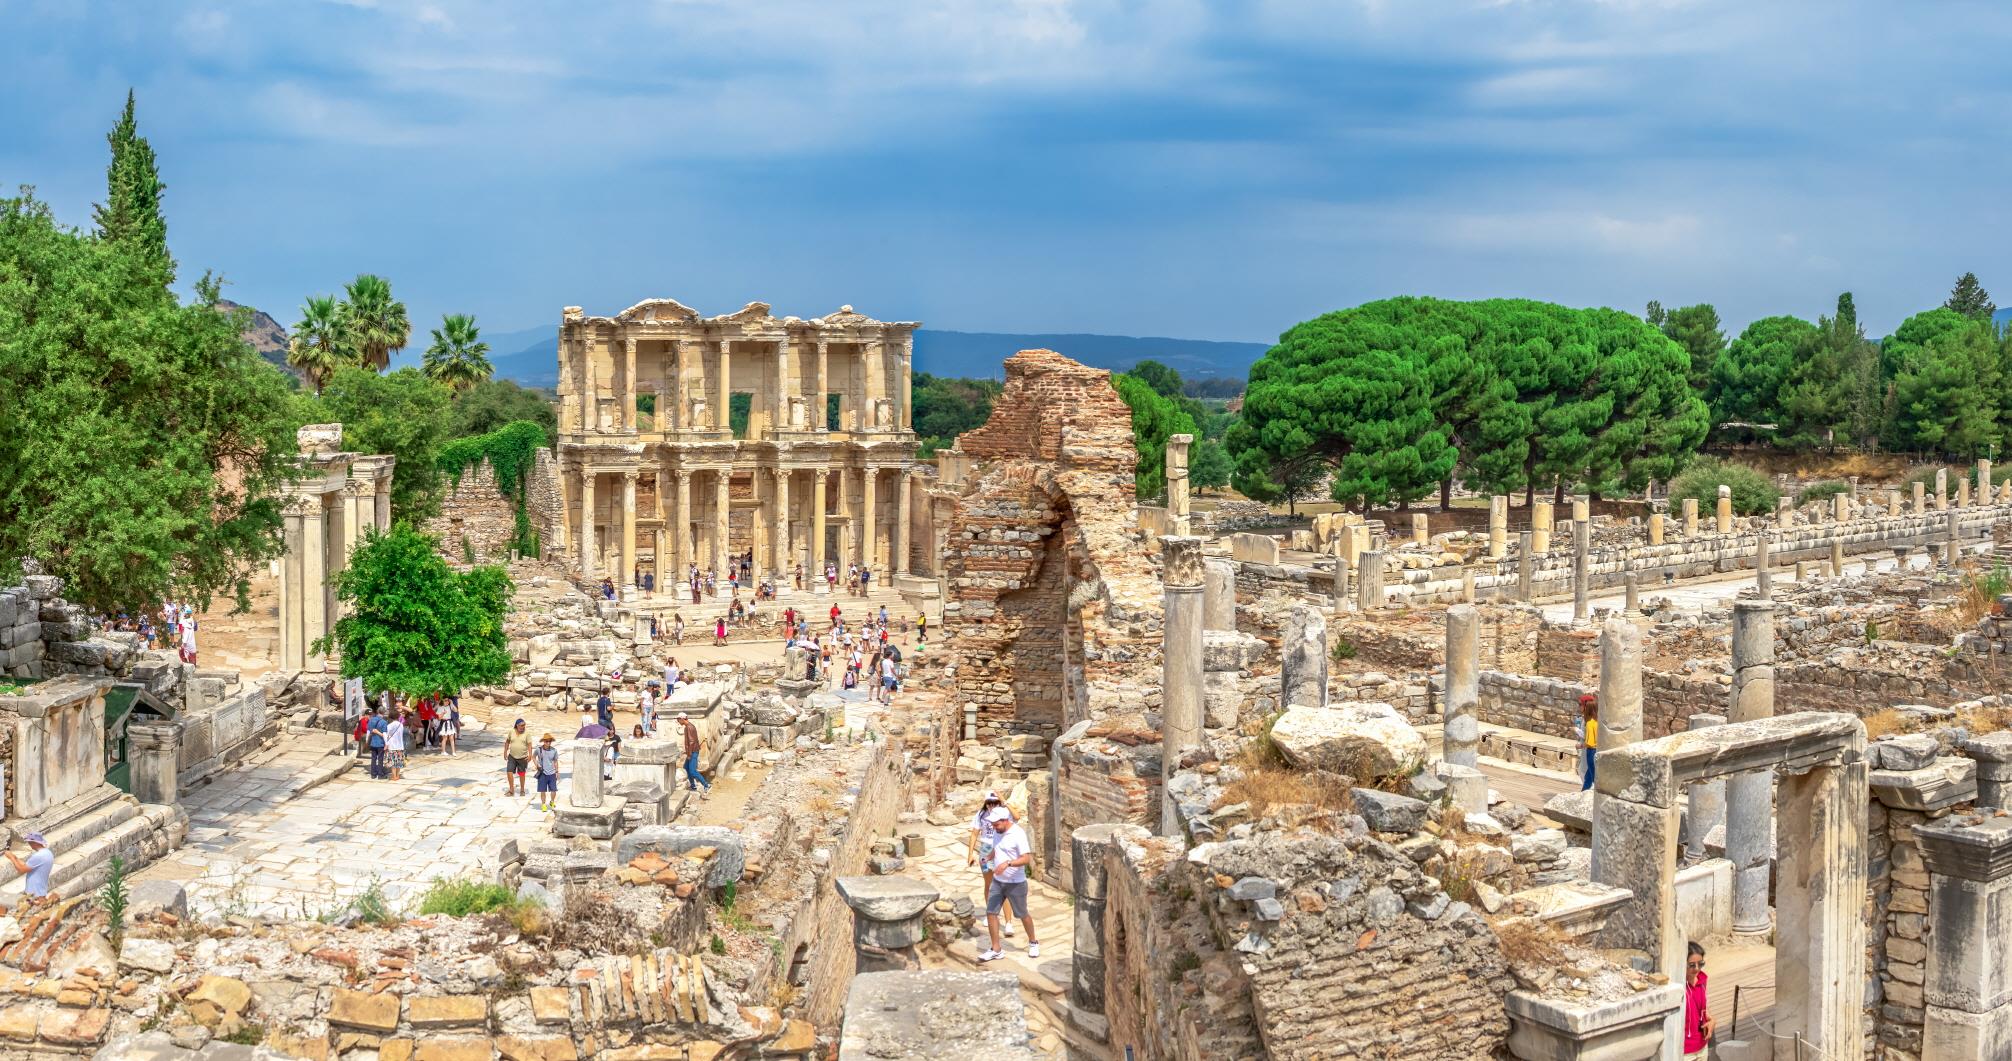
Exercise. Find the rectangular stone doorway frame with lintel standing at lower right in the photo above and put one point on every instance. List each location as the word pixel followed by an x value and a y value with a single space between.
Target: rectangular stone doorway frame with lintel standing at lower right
pixel 1820 869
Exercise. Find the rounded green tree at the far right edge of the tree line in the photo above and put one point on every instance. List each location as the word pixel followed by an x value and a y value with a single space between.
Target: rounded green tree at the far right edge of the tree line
pixel 1947 375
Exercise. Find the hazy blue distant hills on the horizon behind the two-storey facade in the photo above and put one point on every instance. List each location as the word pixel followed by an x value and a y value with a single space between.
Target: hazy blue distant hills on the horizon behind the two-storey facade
pixel 979 355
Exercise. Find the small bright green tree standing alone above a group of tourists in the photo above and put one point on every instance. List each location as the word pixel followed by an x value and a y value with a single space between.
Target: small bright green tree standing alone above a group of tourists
pixel 415 625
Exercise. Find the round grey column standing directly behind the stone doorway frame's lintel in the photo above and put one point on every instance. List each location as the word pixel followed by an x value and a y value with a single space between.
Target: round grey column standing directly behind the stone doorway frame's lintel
pixel 1751 796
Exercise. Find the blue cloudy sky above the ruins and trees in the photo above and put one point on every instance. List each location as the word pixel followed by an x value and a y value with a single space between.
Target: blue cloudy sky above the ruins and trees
pixel 1208 170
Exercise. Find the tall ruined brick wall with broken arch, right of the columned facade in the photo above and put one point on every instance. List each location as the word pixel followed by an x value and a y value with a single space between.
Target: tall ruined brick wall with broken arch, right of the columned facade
pixel 1053 607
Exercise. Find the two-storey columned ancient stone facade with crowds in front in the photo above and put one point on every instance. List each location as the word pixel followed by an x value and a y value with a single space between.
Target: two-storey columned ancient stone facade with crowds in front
pixel 679 488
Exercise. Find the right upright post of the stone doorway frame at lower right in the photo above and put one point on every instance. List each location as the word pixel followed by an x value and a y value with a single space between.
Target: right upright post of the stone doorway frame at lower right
pixel 1820 899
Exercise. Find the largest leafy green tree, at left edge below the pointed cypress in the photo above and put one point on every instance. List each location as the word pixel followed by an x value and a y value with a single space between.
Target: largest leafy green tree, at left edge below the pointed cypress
pixel 144 442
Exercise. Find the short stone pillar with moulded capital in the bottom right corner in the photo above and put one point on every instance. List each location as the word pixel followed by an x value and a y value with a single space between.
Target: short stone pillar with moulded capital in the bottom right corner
pixel 1969 988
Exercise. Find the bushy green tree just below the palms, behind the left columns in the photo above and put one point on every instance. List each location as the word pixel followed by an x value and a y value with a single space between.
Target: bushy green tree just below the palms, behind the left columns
pixel 401 414
